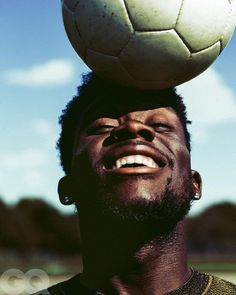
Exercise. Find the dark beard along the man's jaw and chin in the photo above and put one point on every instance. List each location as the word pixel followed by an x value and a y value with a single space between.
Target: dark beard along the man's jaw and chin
pixel 160 213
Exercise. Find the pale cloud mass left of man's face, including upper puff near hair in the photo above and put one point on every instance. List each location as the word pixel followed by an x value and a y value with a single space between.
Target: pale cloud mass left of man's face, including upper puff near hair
pixel 34 169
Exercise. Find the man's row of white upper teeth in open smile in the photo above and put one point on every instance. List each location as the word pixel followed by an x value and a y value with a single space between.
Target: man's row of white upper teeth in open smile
pixel 135 159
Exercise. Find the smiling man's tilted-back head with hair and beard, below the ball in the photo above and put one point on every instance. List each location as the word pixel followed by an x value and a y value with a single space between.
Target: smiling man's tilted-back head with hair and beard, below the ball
pixel 126 153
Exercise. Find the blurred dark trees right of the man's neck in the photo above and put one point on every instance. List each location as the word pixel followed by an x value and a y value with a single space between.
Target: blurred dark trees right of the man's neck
pixel 213 231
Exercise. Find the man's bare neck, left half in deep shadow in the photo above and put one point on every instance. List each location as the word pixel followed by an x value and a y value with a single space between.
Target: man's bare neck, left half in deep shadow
pixel 130 259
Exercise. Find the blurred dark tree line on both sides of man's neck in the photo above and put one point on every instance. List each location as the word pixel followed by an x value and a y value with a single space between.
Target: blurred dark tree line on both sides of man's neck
pixel 33 226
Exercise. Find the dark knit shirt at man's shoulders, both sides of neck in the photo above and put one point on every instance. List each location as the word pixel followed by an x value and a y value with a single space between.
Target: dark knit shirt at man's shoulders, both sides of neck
pixel 198 284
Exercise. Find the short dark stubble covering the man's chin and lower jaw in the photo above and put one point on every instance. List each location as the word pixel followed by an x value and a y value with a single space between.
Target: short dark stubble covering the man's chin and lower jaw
pixel 161 211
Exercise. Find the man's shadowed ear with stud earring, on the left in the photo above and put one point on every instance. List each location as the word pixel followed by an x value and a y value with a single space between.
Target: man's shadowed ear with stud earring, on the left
pixel 65 190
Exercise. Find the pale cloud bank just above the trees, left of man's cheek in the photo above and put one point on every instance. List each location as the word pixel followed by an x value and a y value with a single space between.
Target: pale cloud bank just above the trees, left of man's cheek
pixel 28 172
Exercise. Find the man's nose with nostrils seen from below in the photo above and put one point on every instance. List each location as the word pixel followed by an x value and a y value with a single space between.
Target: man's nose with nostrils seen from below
pixel 132 129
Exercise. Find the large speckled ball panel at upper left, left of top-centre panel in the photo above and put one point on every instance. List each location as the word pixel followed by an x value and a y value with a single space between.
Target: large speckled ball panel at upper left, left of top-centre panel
pixel 104 25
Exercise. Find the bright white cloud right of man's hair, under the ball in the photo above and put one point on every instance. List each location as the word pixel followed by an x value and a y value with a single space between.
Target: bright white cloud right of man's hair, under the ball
pixel 209 102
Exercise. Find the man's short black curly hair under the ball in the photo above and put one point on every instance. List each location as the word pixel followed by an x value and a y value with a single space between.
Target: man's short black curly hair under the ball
pixel 94 88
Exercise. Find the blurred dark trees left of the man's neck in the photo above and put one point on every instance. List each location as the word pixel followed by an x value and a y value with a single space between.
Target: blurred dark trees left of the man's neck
pixel 32 225
